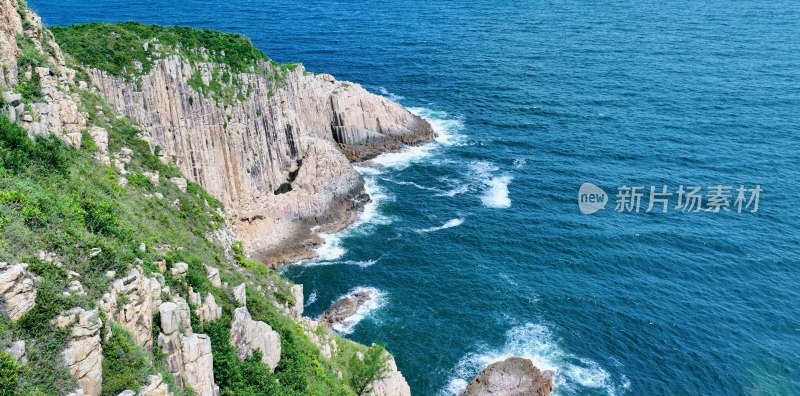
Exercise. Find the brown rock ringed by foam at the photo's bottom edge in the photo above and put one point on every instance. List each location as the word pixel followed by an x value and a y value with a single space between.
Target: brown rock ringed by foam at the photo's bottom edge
pixel 512 377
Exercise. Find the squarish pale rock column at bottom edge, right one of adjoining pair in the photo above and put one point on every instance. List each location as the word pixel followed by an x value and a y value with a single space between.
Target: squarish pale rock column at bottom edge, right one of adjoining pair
pixel 198 372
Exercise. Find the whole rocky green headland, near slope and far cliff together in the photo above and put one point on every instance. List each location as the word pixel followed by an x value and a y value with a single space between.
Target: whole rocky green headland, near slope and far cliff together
pixel 182 160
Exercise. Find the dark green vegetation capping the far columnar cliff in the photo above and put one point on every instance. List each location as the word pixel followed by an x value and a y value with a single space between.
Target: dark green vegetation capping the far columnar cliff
pixel 130 49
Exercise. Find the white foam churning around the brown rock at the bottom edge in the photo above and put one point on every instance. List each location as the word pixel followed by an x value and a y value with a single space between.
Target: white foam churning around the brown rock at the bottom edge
pixel 536 342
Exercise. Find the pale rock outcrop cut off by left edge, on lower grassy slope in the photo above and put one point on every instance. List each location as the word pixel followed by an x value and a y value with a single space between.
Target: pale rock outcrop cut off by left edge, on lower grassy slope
pixel 17 291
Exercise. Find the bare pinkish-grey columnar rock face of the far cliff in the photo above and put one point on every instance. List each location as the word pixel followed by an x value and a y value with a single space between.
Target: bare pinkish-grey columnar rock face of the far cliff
pixel 288 131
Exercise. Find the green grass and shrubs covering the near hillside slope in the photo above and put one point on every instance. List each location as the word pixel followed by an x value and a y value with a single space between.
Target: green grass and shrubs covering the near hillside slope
pixel 59 199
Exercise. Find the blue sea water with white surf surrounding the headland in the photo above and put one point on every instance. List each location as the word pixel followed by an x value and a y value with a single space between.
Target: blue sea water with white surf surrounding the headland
pixel 475 244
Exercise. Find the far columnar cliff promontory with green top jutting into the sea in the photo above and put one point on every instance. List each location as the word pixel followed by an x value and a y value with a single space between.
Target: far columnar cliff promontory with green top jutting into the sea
pixel 270 141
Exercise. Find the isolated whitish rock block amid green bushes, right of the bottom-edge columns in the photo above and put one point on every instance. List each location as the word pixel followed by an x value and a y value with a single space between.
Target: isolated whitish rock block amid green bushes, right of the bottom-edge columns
pixel 248 335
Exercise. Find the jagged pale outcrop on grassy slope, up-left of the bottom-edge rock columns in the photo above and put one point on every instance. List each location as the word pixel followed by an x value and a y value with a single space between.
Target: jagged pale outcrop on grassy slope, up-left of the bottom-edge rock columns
pixel 131 302
